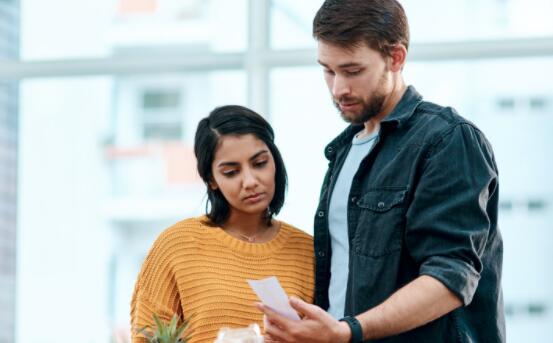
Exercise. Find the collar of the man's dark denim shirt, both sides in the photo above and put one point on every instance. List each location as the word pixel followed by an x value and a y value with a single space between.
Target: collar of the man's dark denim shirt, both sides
pixel 399 115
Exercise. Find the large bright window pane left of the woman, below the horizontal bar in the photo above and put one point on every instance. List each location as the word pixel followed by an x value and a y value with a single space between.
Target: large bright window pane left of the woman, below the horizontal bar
pixel 105 164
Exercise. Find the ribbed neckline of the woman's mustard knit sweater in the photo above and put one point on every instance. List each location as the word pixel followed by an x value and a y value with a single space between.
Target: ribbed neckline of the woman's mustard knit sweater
pixel 247 248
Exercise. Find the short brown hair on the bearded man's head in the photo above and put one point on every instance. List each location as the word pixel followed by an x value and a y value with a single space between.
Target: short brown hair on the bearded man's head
pixel 381 24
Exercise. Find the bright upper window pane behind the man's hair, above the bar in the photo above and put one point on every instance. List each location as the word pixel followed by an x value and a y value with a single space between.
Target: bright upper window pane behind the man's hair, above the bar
pixel 430 20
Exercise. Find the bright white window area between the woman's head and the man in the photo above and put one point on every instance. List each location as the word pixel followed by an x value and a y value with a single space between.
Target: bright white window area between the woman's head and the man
pixel 302 114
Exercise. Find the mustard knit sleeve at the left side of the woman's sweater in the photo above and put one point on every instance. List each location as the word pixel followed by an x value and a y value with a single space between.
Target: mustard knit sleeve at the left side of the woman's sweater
pixel 155 290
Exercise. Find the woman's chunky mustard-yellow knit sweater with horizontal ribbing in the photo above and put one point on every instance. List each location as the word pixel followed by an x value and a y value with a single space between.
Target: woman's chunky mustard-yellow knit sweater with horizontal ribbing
pixel 200 272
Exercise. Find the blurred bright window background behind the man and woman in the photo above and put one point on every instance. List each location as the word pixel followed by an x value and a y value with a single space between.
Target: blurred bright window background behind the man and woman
pixel 99 101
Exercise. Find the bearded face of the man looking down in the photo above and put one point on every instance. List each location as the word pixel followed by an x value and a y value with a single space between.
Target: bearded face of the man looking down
pixel 358 79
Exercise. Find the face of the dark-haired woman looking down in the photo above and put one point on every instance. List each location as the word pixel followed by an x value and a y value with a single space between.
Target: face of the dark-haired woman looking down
pixel 244 171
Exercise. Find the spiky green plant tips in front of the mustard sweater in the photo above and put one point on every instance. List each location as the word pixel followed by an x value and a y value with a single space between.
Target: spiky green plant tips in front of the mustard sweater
pixel 167 332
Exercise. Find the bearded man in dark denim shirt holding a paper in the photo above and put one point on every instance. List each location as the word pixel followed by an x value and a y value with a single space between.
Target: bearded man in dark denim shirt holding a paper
pixel 406 239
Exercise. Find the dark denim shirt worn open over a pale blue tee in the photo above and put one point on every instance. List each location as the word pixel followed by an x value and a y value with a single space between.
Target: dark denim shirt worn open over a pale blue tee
pixel 423 202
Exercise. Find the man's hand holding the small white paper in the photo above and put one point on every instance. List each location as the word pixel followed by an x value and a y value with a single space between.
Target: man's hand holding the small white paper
pixel 317 326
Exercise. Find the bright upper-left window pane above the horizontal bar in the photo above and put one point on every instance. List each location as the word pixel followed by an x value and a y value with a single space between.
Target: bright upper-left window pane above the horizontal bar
pixel 66 29
